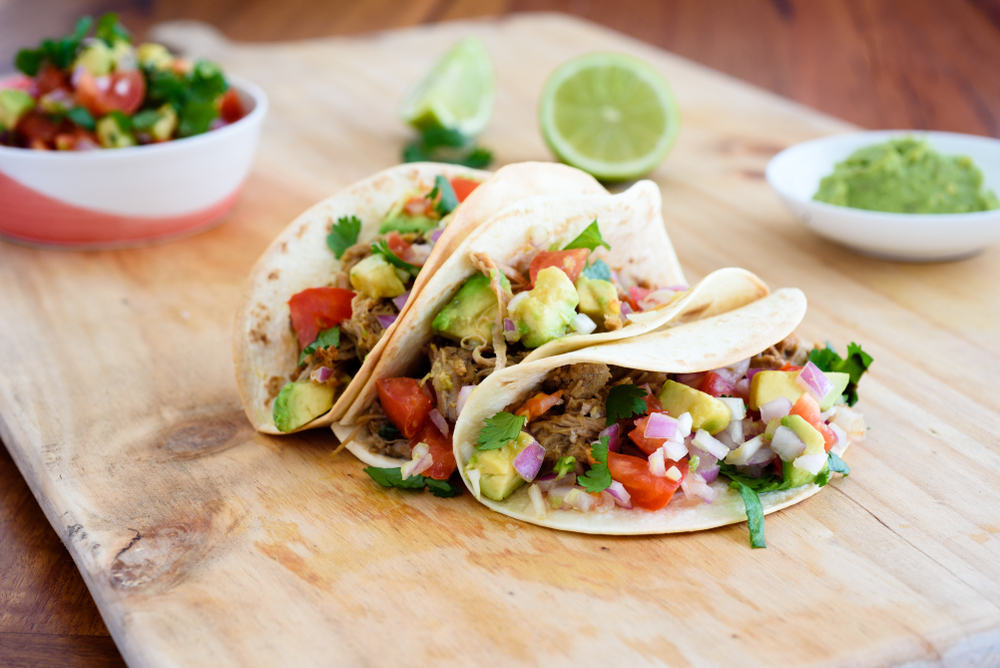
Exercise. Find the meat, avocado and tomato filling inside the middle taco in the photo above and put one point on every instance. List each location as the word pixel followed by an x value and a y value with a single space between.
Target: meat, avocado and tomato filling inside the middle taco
pixel 496 319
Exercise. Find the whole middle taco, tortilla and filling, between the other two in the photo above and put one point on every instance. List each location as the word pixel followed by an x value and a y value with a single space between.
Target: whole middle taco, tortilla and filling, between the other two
pixel 546 274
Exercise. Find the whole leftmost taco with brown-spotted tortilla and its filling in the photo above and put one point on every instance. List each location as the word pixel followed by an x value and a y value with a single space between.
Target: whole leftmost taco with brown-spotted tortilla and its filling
pixel 321 301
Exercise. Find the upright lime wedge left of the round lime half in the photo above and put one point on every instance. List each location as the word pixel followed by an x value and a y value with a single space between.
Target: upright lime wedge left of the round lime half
pixel 457 94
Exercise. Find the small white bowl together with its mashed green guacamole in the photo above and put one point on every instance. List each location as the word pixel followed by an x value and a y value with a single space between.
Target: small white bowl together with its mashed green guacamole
pixel 917 171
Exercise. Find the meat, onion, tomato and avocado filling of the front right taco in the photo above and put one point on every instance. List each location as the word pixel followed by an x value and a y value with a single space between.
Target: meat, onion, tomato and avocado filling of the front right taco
pixel 597 437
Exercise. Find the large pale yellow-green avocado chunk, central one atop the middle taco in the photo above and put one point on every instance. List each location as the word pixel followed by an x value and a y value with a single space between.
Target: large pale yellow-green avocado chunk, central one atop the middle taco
pixel 546 313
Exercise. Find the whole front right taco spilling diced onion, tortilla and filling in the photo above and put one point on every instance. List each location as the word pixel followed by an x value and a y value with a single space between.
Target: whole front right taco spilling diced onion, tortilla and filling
pixel 731 410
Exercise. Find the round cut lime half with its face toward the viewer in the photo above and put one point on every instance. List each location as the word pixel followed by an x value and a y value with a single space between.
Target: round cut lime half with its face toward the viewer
pixel 609 114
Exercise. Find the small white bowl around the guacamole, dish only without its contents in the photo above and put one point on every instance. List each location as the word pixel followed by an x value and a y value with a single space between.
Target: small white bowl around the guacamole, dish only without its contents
pixel 796 172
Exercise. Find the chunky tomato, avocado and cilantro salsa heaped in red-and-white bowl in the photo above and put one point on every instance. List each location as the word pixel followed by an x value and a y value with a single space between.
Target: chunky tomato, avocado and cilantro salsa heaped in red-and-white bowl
pixel 94 89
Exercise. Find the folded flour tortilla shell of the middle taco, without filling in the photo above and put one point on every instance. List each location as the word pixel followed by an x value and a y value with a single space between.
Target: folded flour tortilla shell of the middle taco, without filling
pixel 630 222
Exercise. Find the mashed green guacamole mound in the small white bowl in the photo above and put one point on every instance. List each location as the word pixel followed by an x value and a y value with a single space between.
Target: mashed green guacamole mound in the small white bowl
pixel 906 176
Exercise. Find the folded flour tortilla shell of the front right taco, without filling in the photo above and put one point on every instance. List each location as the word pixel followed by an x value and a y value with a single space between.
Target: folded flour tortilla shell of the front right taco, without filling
pixel 686 348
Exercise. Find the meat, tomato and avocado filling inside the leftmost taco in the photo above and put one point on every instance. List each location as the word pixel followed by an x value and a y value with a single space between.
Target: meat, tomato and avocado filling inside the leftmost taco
pixel 338 324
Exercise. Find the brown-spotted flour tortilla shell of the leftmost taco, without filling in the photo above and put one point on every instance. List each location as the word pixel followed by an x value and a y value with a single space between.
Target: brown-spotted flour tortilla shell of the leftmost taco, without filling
pixel 265 348
